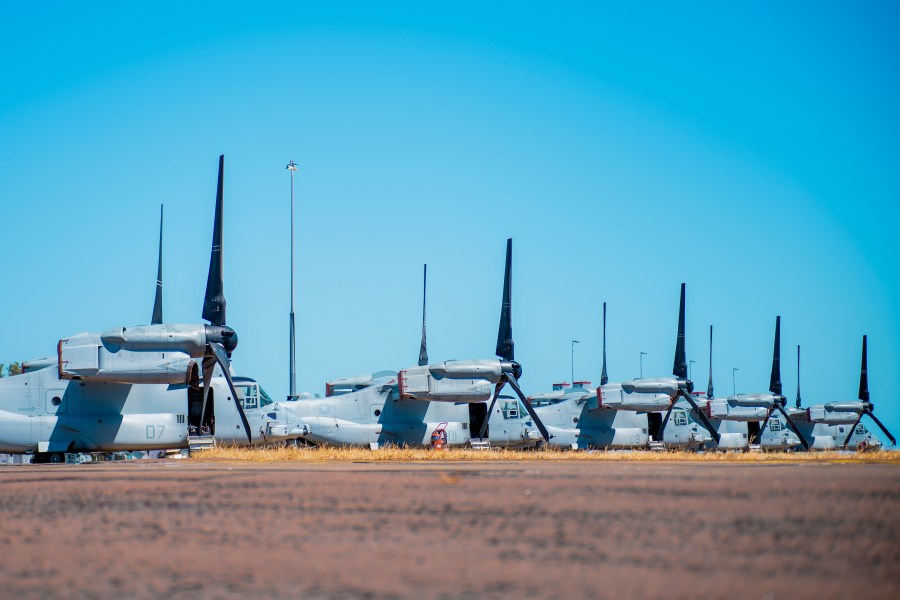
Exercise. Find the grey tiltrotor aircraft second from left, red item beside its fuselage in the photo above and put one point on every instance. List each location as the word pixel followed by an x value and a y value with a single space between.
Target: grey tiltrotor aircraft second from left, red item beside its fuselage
pixel 408 407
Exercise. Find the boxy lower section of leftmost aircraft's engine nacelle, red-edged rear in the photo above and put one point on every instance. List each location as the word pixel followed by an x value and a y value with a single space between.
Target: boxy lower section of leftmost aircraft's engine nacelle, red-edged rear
pixel 85 357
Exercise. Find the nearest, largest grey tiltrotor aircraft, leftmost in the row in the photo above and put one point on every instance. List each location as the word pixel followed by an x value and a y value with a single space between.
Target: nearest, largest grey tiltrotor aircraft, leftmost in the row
pixel 131 388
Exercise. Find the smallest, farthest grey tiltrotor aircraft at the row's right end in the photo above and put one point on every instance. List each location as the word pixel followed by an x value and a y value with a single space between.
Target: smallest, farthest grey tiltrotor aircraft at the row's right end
pixel 838 424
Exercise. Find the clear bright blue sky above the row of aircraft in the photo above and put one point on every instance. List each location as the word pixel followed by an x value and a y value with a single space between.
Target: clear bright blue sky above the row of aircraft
pixel 750 150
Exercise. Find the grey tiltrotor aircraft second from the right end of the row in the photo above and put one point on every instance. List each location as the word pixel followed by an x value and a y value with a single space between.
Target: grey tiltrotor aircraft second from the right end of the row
pixel 754 409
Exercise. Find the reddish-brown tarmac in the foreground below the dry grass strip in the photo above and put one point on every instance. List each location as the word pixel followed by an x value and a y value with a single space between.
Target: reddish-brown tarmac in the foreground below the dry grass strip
pixel 189 529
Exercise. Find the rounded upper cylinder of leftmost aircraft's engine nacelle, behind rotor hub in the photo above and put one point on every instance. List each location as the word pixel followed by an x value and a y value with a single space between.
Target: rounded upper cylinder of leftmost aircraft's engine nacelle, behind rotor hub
pixel 189 339
